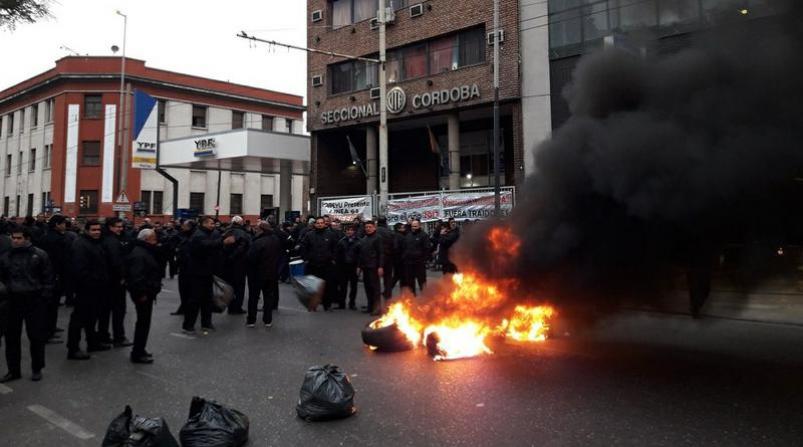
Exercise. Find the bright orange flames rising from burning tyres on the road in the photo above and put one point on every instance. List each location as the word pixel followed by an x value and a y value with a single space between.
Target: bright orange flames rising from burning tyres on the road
pixel 457 323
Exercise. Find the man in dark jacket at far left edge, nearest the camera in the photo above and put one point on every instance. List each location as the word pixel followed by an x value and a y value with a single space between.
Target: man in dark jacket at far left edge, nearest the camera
pixel 26 272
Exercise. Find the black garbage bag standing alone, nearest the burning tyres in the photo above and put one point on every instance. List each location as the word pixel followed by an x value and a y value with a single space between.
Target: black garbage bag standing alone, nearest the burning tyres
pixel 326 394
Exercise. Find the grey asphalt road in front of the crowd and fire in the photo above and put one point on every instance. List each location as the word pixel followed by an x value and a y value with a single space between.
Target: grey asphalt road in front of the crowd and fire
pixel 637 379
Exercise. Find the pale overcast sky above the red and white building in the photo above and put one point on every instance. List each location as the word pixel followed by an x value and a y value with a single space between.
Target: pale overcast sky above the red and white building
pixel 195 37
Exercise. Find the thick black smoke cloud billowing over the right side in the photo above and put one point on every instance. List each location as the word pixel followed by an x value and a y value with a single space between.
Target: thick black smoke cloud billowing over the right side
pixel 664 158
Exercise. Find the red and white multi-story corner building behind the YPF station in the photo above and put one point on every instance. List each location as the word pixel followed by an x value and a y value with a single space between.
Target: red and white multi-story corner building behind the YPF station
pixel 35 139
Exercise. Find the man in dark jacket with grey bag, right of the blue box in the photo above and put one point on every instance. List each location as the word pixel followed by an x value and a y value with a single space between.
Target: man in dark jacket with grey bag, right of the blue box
pixel 318 249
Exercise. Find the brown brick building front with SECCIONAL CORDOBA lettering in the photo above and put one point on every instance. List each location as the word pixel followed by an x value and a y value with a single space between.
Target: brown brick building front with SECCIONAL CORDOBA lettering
pixel 440 95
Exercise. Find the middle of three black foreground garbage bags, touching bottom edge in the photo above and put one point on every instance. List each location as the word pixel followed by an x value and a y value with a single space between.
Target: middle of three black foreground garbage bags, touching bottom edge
pixel 213 425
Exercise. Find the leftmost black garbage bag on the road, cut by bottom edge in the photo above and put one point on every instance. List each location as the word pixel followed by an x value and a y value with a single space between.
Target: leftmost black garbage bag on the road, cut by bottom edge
pixel 127 430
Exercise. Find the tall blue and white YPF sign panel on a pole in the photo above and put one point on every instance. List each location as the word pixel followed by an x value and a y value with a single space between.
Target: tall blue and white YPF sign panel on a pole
pixel 146 131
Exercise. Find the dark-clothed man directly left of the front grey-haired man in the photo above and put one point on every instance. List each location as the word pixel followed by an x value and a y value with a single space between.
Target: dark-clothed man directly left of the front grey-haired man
pixel 113 305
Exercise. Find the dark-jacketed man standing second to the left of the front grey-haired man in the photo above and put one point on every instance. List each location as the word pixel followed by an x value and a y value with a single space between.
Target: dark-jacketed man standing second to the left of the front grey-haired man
pixel 91 285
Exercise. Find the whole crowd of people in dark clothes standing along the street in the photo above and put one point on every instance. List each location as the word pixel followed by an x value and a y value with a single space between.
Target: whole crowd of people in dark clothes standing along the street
pixel 95 264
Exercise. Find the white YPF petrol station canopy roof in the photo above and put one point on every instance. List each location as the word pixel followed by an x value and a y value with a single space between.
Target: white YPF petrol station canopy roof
pixel 243 150
